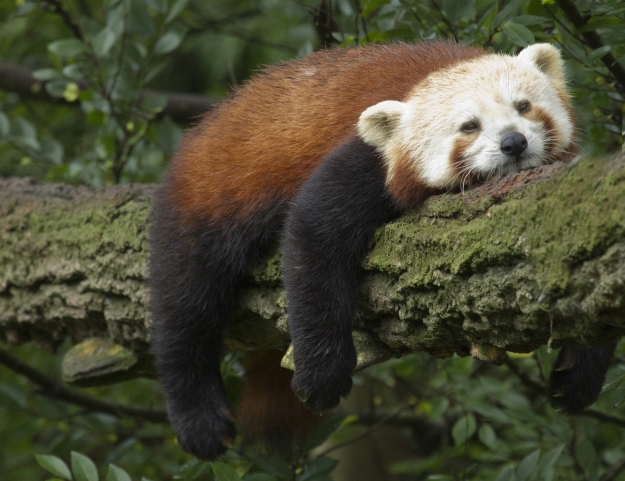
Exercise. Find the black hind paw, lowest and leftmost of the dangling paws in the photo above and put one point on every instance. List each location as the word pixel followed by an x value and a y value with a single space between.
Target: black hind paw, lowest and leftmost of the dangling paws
pixel 206 435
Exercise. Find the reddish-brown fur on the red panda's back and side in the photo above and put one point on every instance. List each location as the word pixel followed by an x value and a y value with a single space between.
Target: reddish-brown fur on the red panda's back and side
pixel 263 142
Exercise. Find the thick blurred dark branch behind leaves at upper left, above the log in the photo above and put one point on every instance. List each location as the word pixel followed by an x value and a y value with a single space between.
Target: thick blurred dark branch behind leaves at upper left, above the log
pixel 181 107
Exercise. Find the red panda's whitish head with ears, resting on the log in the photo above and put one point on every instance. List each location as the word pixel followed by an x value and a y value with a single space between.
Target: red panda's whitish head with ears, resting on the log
pixel 493 115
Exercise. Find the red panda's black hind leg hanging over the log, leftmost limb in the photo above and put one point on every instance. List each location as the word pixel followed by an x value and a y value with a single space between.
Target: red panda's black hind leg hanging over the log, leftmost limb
pixel 195 272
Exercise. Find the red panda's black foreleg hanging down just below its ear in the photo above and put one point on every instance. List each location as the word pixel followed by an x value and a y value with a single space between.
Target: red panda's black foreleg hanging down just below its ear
pixel 328 227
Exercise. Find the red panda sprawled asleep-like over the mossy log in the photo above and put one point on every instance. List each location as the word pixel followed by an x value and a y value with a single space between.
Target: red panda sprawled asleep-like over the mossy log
pixel 322 151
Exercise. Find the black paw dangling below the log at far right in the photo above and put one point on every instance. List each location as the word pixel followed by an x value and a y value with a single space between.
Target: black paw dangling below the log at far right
pixel 578 376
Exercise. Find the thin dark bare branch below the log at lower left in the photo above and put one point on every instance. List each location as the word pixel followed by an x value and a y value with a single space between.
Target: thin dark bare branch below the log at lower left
pixel 52 389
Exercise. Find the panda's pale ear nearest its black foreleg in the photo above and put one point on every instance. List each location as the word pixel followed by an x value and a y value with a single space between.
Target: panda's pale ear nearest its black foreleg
pixel 378 123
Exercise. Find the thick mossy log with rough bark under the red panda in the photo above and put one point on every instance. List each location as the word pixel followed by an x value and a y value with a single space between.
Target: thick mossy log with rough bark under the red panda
pixel 532 258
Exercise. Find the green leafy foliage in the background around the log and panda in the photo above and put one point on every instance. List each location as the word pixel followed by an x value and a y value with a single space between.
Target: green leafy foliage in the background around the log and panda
pixel 451 419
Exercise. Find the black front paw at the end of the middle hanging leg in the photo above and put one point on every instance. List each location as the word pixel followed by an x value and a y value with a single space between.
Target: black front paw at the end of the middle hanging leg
pixel 320 391
